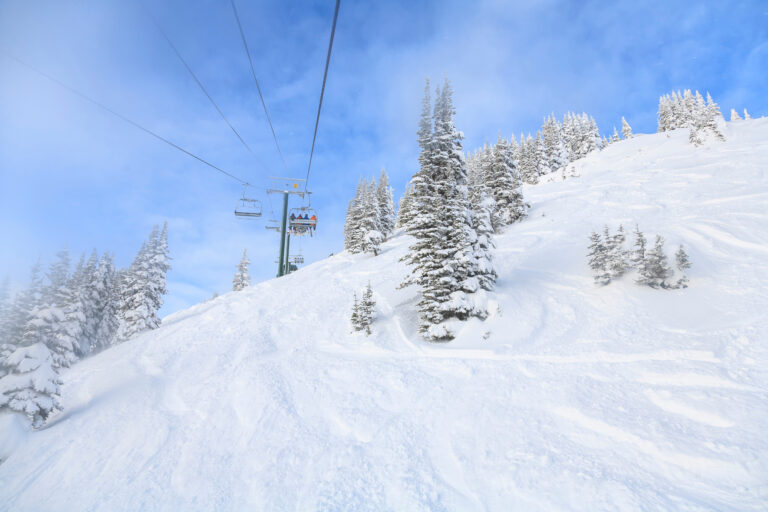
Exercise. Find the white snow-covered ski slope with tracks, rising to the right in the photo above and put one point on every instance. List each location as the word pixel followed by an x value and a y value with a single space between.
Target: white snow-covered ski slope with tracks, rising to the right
pixel 569 397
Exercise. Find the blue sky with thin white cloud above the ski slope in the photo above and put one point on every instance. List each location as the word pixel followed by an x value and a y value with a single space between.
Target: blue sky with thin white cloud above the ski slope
pixel 73 176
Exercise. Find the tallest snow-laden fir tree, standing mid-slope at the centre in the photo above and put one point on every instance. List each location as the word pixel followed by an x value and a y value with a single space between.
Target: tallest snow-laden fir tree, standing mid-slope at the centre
pixel 442 253
